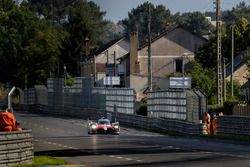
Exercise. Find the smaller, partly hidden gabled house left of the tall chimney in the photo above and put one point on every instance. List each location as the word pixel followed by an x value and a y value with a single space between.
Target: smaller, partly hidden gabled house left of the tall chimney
pixel 102 63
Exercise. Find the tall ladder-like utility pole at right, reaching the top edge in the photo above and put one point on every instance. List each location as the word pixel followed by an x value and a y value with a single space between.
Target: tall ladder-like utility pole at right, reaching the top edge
pixel 219 61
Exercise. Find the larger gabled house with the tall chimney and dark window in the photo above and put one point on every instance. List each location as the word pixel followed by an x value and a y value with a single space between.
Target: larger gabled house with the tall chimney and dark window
pixel 171 51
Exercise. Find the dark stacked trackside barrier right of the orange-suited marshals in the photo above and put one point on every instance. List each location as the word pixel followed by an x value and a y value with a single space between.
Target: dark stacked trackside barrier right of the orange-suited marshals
pixel 233 125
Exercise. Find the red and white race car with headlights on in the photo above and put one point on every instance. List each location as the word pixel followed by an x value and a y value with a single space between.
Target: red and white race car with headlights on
pixel 103 126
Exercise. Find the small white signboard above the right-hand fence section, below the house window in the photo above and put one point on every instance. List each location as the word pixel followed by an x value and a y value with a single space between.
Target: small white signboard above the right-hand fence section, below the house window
pixel 180 82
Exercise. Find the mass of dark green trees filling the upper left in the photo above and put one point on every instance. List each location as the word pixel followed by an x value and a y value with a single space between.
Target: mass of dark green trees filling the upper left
pixel 38 37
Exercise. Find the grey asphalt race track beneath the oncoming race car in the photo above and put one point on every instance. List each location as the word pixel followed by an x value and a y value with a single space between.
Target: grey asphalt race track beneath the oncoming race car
pixel 67 138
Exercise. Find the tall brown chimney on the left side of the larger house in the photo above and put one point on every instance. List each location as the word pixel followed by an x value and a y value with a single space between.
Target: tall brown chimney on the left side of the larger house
pixel 133 53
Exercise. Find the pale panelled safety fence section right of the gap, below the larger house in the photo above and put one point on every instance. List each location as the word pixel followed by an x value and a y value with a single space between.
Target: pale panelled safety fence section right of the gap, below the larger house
pixel 181 104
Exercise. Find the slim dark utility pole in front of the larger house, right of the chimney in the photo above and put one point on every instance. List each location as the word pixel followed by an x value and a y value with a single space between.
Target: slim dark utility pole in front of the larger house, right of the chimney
pixel 149 51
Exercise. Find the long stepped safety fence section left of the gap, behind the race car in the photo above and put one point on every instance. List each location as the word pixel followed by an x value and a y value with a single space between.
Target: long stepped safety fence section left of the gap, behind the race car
pixel 84 95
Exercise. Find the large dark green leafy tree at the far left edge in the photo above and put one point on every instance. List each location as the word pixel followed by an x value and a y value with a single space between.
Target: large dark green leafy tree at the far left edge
pixel 28 46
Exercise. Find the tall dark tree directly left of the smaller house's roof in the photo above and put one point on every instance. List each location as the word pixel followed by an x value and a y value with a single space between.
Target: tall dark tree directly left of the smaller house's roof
pixel 85 21
